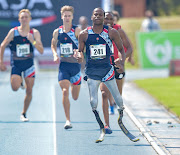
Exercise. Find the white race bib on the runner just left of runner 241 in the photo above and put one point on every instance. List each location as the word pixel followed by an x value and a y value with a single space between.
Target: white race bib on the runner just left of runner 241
pixel 66 50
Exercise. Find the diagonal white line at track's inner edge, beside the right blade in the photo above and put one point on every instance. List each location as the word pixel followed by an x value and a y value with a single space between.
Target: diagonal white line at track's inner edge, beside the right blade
pixel 144 132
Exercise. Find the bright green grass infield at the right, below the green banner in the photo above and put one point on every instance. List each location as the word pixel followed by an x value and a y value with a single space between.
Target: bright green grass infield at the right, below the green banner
pixel 166 91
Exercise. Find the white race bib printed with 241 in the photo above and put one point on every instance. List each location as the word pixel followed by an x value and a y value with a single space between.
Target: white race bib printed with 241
pixel 98 51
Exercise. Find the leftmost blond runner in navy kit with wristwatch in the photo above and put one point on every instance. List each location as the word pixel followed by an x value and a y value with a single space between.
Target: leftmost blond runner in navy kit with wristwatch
pixel 22 41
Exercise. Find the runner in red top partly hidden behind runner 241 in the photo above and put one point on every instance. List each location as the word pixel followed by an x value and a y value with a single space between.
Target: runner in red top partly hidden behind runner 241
pixel 118 76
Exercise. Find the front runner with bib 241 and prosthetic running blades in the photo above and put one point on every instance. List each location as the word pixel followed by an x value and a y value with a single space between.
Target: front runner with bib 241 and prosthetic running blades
pixel 98 42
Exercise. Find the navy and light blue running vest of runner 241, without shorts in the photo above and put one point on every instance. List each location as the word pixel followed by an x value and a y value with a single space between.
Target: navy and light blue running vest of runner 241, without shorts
pixel 98 49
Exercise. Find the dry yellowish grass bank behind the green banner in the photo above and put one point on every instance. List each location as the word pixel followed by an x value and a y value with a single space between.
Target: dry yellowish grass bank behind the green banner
pixel 132 25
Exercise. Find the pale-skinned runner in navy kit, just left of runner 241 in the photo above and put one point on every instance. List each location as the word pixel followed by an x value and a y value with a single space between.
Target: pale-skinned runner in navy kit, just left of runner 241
pixel 66 36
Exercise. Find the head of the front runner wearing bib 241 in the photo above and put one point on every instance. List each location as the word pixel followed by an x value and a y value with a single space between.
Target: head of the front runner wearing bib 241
pixel 98 17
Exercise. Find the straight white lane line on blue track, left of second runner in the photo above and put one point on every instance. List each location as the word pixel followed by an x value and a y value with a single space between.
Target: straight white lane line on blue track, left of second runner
pixel 54 118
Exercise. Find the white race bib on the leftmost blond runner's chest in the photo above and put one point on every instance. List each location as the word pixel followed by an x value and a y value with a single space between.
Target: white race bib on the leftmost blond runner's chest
pixel 22 50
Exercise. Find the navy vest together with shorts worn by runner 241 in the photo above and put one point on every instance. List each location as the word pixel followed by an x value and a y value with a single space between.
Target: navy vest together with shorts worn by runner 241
pixel 98 51
